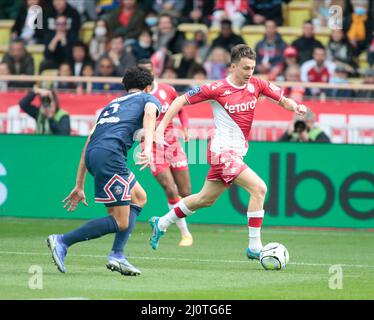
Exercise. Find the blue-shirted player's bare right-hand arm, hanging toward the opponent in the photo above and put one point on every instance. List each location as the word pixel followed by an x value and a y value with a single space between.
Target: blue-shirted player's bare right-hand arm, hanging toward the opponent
pixel 149 125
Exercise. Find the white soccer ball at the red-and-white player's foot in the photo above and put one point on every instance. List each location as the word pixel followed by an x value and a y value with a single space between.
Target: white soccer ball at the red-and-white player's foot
pixel 274 256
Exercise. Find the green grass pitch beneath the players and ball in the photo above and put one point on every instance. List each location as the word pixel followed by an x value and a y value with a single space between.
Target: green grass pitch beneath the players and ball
pixel 214 268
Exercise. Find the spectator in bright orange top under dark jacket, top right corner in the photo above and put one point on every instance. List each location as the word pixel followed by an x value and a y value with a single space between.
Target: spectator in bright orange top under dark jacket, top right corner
pixel 359 25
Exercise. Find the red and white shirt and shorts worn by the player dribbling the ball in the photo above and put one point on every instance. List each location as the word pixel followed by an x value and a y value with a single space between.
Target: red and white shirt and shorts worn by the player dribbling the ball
pixel 233 110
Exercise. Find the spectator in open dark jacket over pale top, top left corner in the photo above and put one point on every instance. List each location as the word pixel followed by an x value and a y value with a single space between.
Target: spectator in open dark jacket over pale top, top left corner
pixel 25 18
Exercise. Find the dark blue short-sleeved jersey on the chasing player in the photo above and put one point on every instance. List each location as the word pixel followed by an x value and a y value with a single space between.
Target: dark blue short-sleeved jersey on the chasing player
pixel 118 122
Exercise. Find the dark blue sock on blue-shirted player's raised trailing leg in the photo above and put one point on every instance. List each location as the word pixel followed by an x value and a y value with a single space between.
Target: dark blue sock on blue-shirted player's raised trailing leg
pixel 91 230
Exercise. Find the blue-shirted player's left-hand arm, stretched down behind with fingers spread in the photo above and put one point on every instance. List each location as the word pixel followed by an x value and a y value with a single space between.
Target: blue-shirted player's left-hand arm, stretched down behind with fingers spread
pixel 77 194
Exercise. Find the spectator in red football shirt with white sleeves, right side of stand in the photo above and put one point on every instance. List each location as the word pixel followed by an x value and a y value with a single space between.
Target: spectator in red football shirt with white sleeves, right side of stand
pixel 317 70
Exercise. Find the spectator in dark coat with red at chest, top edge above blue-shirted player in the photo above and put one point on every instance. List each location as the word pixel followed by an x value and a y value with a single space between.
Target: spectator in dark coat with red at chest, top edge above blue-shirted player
pixel 127 20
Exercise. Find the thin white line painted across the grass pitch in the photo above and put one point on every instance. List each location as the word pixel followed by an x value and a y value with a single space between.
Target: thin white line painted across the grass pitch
pixel 190 260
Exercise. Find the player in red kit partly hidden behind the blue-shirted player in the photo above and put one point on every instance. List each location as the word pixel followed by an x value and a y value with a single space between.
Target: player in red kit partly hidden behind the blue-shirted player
pixel 169 164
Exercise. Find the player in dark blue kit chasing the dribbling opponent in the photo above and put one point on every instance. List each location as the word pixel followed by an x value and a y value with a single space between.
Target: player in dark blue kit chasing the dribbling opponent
pixel 104 157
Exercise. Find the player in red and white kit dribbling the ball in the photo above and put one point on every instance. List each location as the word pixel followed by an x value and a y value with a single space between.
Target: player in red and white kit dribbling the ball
pixel 234 102
